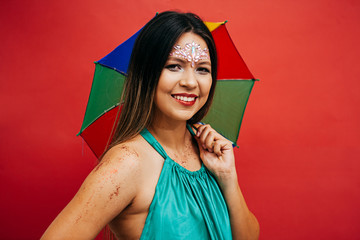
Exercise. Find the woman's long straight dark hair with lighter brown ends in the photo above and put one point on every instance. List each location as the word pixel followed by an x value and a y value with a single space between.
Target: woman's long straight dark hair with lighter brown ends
pixel 149 55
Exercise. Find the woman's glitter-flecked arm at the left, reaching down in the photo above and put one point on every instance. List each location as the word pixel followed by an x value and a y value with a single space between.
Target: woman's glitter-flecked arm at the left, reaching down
pixel 108 189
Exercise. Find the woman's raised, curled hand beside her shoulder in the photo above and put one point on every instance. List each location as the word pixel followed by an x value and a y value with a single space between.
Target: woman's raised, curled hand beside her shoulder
pixel 217 154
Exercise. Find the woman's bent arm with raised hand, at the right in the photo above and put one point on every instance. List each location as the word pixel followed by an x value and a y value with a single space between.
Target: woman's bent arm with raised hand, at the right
pixel 217 154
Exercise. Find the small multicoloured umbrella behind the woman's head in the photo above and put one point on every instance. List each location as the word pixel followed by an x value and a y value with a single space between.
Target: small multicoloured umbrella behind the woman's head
pixel 233 88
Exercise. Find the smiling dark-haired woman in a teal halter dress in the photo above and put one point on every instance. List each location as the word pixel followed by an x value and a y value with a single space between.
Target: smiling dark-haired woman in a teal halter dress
pixel 159 179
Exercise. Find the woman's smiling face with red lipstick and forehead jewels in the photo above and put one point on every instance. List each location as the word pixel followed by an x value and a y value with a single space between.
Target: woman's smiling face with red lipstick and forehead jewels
pixel 185 81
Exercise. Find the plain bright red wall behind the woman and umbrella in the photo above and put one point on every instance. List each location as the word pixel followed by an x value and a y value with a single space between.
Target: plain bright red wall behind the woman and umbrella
pixel 298 159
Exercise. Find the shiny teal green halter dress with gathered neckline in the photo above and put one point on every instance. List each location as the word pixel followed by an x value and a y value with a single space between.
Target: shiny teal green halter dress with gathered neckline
pixel 186 205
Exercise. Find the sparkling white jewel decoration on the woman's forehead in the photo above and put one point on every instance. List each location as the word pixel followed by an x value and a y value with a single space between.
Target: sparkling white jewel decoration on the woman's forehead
pixel 192 52
